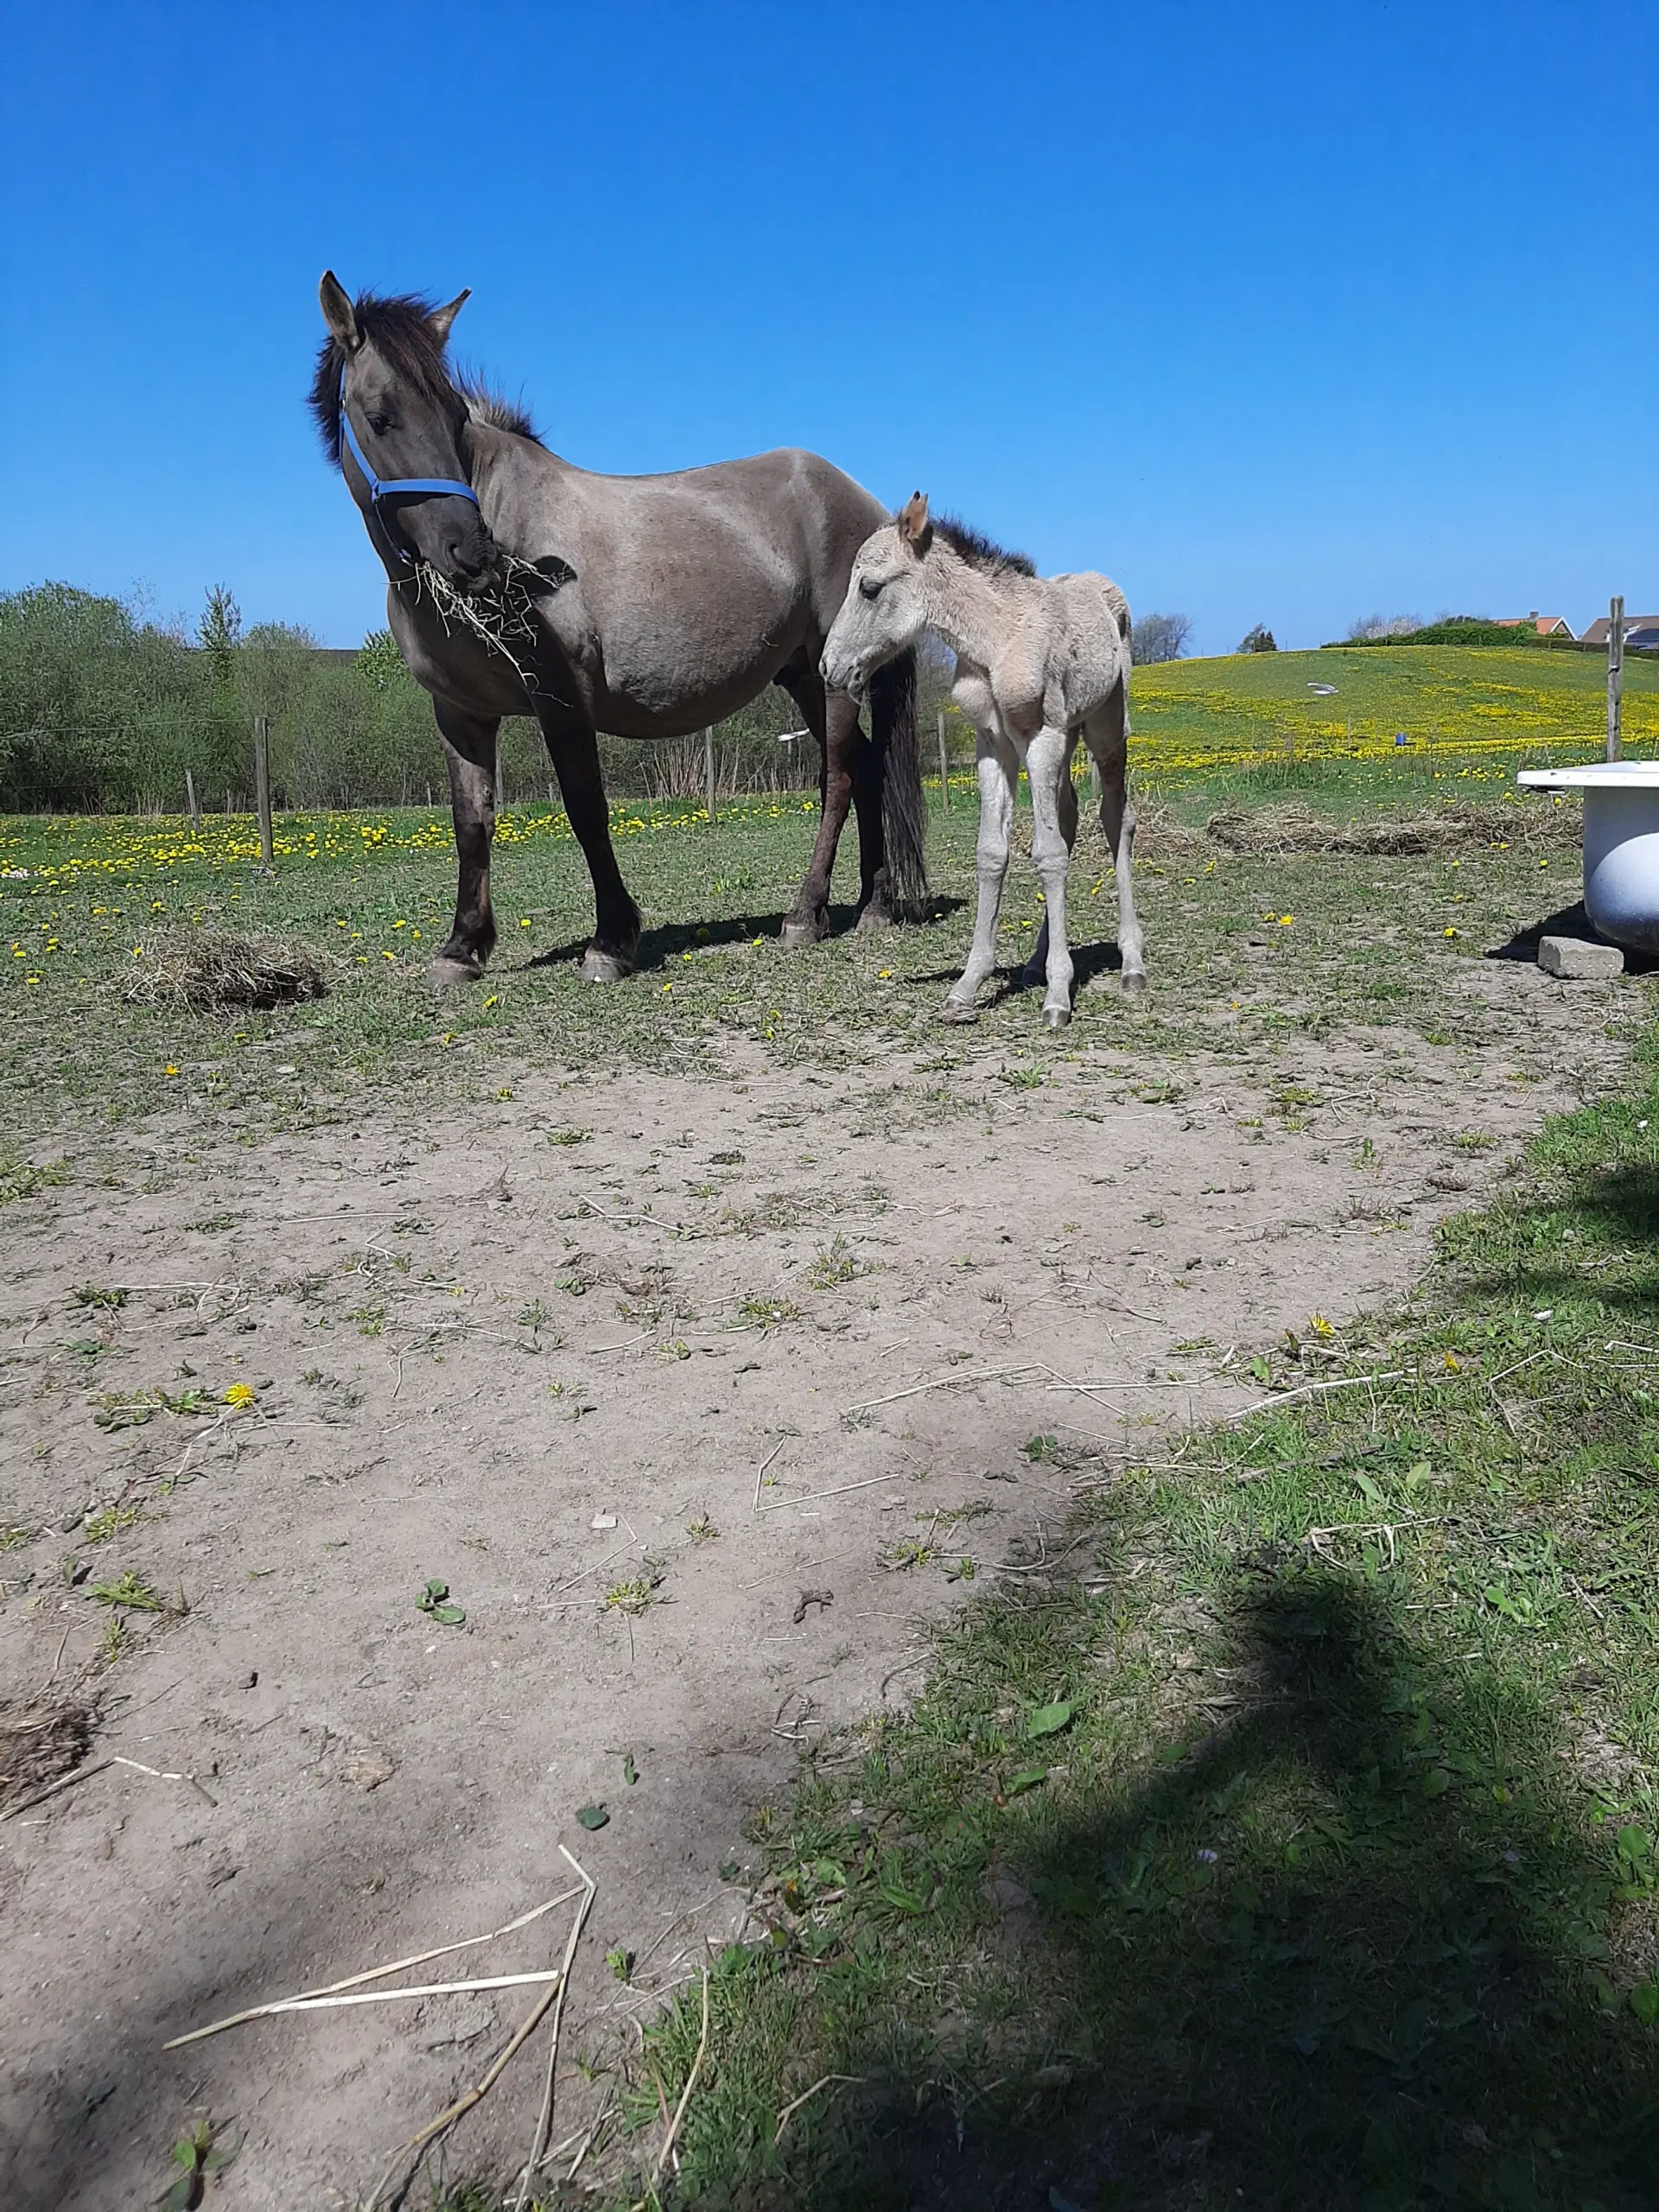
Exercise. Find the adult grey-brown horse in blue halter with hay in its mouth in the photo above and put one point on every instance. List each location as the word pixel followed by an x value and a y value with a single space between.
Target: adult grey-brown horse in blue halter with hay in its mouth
pixel 634 605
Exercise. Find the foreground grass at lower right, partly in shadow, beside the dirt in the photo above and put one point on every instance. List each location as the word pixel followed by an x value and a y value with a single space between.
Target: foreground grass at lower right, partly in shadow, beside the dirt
pixel 1306 1848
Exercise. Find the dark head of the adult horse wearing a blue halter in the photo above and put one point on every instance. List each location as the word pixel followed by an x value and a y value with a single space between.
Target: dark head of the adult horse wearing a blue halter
pixel 382 373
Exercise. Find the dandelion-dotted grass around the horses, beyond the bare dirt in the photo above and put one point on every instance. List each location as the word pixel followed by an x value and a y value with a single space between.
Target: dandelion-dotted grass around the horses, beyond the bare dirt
pixel 1366 930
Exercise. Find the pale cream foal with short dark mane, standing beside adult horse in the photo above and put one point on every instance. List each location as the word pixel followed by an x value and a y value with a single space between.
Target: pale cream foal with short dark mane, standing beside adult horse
pixel 1039 665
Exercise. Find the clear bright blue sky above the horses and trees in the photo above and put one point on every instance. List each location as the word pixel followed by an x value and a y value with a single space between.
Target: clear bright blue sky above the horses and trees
pixel 1275 313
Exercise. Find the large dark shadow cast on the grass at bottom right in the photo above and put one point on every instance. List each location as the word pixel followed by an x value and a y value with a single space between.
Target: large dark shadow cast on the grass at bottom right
pixel 1342 1952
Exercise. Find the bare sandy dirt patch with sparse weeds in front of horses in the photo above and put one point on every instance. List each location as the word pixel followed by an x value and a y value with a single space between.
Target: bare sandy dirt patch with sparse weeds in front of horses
pixel 658 1377
